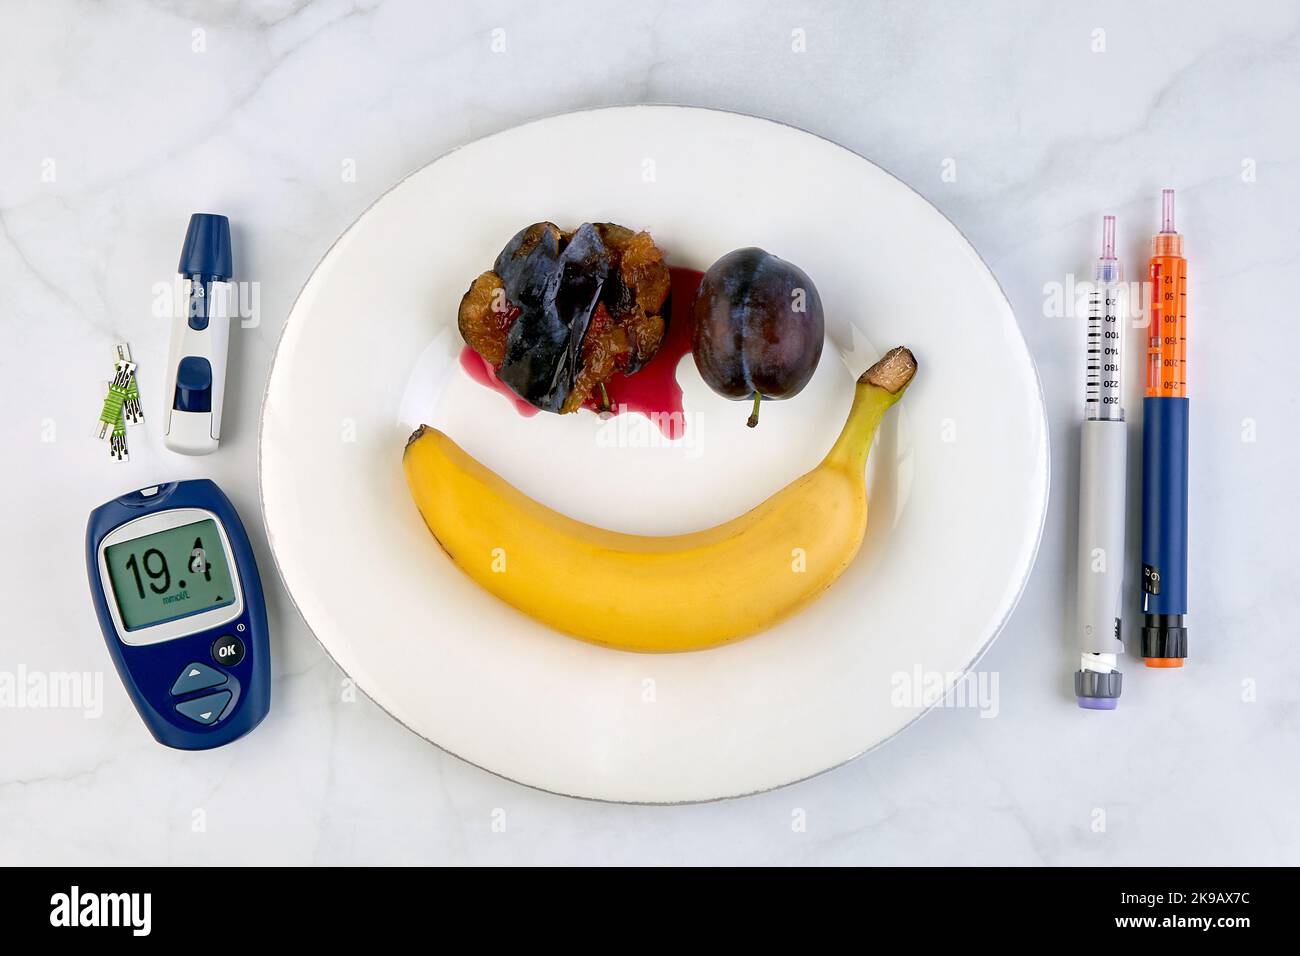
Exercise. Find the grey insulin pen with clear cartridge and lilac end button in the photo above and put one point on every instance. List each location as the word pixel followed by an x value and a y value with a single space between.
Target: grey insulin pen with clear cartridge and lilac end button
pixel 1102 491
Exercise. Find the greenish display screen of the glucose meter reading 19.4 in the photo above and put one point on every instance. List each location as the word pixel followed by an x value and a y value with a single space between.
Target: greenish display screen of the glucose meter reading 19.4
pixel 170 574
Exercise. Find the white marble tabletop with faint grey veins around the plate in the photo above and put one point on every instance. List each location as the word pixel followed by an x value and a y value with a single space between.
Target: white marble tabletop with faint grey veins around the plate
pixel 116 128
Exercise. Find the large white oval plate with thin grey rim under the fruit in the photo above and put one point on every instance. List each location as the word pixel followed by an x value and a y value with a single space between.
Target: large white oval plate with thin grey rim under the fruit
pixel 959 478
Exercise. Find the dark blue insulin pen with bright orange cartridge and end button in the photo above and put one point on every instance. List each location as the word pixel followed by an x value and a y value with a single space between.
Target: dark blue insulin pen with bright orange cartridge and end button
pixel 1164 475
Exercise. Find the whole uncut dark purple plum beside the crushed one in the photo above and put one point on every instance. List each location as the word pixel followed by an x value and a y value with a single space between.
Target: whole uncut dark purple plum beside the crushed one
pixel 748 336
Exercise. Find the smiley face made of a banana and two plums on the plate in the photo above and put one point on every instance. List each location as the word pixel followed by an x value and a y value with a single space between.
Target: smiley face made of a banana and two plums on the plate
pixel 556 317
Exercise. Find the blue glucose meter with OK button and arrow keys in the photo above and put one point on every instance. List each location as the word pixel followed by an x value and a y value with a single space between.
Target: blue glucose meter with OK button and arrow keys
pixel 180 602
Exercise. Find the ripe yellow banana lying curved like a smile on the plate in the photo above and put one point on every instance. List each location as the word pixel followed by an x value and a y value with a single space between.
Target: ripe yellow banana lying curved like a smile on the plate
pixel 682 592
